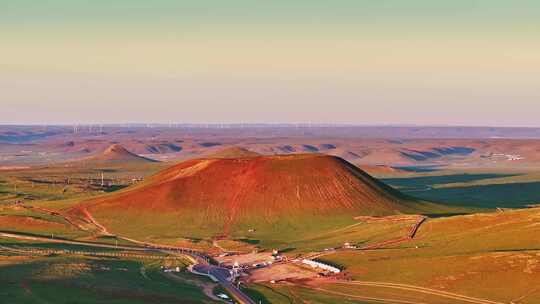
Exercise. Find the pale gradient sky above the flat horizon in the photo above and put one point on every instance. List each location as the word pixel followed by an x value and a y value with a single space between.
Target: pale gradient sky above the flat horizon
pixel 459 62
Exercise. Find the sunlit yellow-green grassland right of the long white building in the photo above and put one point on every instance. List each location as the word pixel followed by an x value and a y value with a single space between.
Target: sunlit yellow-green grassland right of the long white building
pixel 469 255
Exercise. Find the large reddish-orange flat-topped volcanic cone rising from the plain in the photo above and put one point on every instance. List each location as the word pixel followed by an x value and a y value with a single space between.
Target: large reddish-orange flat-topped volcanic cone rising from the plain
pixel 223 192
